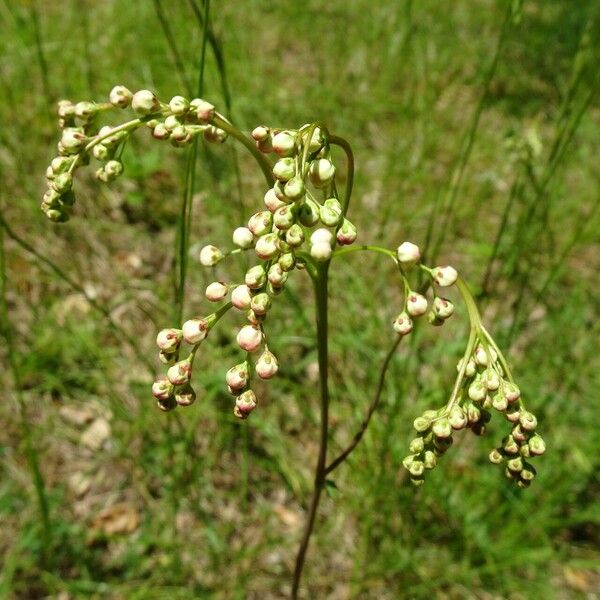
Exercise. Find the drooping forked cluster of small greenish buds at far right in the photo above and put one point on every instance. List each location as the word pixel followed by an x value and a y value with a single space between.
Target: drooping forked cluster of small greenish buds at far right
pixel 483 385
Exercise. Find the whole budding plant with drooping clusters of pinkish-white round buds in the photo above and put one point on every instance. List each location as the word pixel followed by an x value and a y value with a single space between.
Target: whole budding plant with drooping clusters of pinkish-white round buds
pixel 303 225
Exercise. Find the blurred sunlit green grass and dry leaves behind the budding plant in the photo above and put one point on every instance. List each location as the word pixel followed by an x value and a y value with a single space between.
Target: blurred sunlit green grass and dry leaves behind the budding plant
pixel 476 128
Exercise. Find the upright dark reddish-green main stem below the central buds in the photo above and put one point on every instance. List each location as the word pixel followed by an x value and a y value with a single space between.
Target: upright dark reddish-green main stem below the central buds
pixel 320 284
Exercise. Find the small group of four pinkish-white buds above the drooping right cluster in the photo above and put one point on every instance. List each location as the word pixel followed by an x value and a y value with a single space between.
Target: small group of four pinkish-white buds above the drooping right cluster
pixel 416 304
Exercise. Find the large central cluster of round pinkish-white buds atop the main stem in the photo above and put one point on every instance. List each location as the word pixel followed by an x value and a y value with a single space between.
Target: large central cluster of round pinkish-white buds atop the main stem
pixel 293 228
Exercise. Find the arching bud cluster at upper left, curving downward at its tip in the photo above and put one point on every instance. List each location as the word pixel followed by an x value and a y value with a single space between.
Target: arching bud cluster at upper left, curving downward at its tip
pixel 82 138
